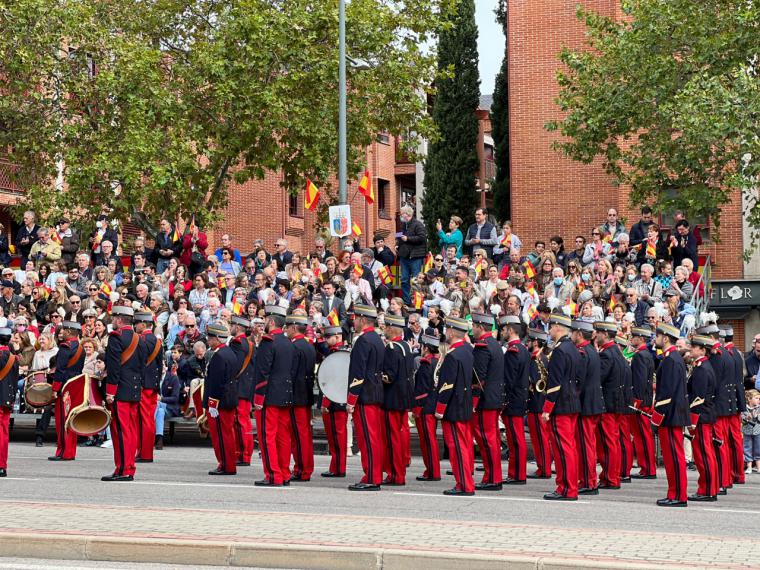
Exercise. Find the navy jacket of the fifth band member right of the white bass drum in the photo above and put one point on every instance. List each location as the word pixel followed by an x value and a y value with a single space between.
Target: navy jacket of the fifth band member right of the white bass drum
pixel 488 380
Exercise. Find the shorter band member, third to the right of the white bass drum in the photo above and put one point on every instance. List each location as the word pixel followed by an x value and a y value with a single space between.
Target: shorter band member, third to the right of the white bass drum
pixel 424 408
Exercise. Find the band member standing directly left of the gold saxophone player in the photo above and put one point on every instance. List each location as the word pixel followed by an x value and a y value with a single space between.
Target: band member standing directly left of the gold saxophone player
pixel 516 381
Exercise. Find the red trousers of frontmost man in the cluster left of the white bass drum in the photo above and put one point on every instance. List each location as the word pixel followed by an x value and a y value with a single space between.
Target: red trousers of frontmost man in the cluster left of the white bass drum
pixel 273 427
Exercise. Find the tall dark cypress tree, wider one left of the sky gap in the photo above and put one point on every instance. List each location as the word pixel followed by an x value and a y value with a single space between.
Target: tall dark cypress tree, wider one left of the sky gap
pixel 452 162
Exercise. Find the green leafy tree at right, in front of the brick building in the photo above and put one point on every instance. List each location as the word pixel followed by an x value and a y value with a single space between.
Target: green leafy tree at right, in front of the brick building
pixel 669 99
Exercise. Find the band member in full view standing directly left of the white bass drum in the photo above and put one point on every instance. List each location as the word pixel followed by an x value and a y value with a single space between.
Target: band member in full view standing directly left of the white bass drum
pixel 302 375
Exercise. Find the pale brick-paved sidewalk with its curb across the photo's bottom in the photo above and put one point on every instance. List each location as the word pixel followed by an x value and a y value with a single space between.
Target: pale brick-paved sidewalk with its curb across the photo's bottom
pixel 294 540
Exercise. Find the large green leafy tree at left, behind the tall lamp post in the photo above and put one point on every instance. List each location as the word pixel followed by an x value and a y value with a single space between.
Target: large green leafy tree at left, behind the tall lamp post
pixel 150 109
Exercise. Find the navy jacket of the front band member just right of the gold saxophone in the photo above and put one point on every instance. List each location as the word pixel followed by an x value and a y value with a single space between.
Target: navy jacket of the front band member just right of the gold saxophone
pixel 562 388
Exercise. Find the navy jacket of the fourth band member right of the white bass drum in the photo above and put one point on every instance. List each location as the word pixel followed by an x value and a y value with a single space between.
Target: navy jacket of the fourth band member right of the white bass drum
pixel 454 391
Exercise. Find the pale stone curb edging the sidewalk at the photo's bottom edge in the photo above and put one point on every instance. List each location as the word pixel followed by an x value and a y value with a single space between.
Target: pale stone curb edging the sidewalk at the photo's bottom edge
pixel 237 554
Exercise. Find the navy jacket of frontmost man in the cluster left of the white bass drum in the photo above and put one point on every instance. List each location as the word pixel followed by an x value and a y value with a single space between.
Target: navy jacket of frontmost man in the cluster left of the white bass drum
pixel 272 371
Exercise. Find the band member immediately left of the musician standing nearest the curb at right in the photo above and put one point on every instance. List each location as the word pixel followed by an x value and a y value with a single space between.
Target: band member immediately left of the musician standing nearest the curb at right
pixel 642 378
